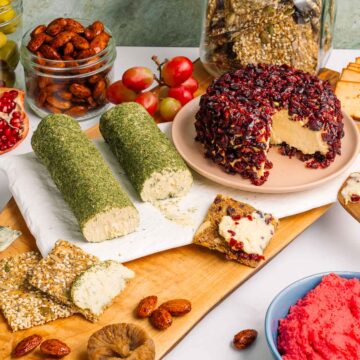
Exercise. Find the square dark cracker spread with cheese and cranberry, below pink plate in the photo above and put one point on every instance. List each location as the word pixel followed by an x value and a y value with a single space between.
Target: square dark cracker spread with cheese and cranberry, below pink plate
pixel 237 230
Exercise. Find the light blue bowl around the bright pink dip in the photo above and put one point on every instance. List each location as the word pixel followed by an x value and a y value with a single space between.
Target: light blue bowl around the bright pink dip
pixel 280 306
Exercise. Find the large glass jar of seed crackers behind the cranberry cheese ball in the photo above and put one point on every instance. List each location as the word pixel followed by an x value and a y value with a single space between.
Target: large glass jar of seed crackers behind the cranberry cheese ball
pixel 295 32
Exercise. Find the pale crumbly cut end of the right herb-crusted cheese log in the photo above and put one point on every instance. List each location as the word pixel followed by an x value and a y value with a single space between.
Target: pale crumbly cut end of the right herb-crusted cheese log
pixel 166 184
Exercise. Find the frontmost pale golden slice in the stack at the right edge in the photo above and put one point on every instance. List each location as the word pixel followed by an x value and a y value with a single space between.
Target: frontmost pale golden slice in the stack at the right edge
pixel 348 93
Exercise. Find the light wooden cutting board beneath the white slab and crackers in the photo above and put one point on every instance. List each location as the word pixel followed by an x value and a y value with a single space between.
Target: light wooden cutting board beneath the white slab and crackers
pixel 190 272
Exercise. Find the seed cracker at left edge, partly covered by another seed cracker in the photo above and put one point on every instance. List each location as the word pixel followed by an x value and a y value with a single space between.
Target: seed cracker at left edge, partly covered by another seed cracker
pixel 22 305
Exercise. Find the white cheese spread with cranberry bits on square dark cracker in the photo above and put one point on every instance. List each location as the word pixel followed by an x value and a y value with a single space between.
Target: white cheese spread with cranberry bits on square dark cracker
pixel 255 234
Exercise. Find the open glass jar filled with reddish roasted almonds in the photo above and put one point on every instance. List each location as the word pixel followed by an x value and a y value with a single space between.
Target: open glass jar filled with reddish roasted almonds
pixel 73 87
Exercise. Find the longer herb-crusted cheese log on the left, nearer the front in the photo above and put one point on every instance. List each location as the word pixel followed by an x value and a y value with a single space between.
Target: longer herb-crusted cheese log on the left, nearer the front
pixel 100 205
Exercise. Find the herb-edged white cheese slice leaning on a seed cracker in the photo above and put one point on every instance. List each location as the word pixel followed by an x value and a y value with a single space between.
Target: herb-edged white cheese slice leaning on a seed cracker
pixel 95 289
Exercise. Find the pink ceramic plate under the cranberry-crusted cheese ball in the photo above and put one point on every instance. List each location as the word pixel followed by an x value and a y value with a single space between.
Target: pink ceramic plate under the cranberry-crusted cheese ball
pixel 287 175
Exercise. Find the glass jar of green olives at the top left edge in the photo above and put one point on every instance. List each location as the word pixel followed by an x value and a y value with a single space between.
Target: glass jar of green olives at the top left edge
pixel 10 37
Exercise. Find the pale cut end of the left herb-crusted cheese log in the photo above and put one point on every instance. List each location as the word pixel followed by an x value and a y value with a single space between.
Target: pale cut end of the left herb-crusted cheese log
pixel 110 224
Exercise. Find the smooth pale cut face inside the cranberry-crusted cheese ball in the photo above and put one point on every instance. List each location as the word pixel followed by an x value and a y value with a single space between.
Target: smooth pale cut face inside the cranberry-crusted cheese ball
pixel 294 134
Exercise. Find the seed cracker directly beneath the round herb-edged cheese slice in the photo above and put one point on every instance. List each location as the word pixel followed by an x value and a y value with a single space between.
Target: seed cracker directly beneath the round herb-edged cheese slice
pixel 56 273
